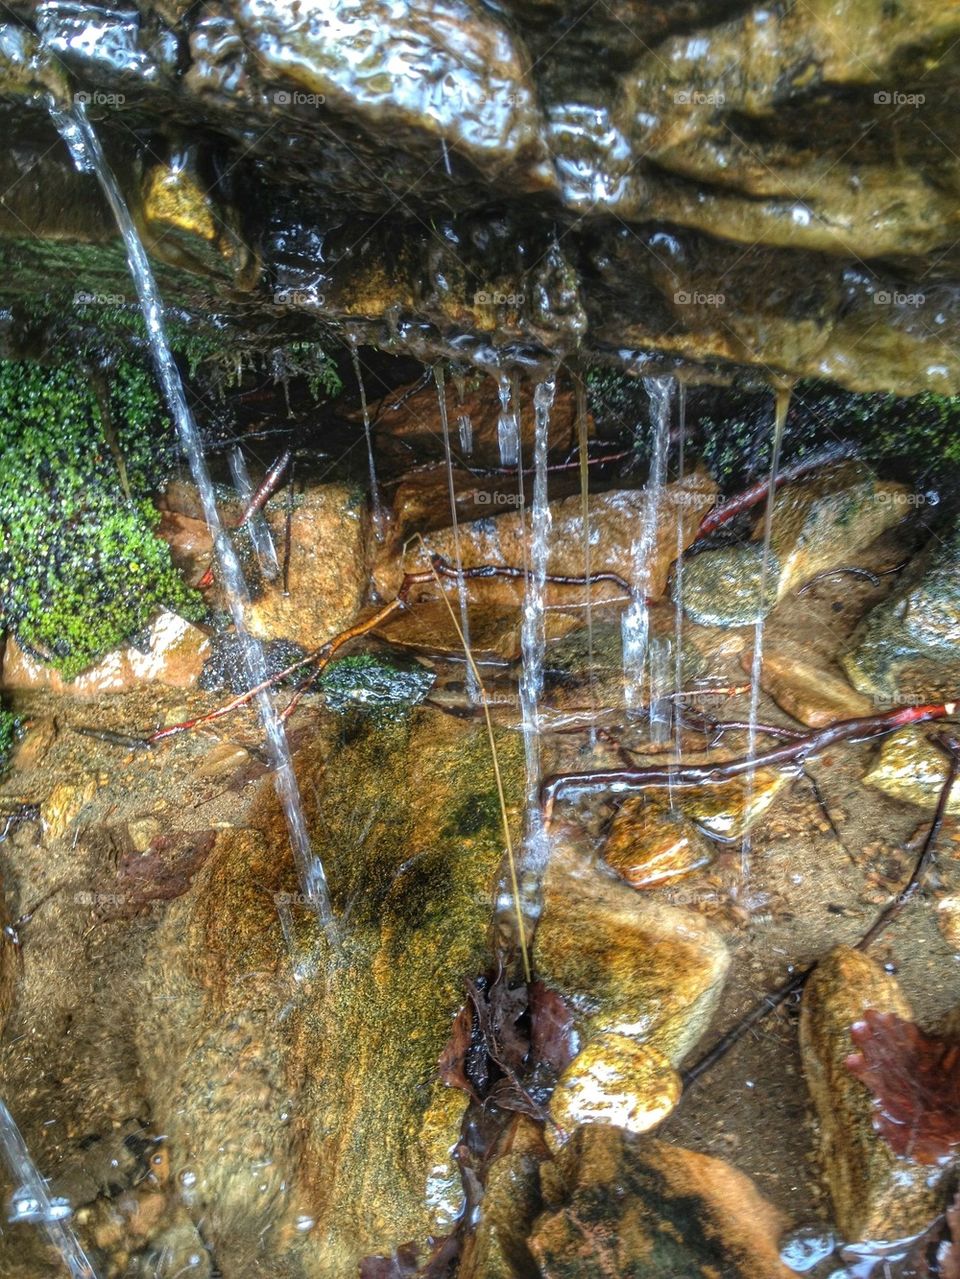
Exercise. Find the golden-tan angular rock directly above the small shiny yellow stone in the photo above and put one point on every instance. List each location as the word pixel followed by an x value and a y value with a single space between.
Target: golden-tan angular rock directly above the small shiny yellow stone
pixel 626 964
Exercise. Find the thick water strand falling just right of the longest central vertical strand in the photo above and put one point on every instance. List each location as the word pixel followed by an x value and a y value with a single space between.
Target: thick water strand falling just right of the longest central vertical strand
pixel 636 624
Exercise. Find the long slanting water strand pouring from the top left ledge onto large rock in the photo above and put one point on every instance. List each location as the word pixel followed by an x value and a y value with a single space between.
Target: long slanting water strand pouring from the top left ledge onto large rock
pixel 75 127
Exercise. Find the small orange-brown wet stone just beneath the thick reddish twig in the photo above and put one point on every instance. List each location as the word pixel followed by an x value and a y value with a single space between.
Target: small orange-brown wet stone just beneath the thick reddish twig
pixel 650 845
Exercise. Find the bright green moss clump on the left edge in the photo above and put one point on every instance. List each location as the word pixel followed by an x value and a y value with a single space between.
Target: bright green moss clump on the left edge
pixel 81 569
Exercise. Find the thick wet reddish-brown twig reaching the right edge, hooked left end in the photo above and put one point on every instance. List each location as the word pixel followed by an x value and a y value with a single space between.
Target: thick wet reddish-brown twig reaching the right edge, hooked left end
pixel 624 781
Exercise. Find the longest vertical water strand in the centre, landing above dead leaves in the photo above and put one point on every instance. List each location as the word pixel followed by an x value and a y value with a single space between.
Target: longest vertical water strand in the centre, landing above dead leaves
pixel 534 648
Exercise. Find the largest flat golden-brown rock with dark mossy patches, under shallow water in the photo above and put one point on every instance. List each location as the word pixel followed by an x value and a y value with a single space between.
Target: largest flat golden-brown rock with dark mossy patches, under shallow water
pixel 406 818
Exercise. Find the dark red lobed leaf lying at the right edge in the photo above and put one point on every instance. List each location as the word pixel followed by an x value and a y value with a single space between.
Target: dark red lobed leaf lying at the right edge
pixel 916 1083
